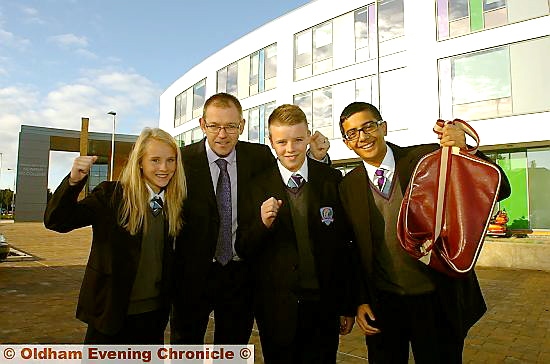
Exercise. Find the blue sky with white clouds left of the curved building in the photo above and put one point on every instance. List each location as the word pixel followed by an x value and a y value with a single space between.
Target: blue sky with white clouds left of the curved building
pixel 61 60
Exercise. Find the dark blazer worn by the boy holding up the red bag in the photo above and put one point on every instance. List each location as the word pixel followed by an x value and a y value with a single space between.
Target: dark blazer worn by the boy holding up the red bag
pixel 462 299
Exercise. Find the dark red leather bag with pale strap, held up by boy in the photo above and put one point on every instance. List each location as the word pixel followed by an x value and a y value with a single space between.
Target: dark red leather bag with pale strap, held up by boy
pixel 447 206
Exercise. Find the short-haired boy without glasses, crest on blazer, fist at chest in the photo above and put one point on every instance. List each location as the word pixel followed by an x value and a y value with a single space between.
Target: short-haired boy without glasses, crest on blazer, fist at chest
pixel 297 241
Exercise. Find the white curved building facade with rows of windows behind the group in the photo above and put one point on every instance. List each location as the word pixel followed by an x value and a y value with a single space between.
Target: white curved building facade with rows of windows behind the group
pixel 484 61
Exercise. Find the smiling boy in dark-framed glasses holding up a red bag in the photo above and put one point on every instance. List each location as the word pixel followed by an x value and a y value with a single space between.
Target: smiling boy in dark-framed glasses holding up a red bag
pixel 401 299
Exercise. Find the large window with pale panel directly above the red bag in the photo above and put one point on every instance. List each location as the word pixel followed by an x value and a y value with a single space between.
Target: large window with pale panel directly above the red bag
pixel 496 82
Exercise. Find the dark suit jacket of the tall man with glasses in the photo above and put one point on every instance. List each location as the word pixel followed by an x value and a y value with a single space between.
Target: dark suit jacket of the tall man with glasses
pixel 196 245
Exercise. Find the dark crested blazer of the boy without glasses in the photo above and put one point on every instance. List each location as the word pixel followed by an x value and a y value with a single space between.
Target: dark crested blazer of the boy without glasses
pixel 274 252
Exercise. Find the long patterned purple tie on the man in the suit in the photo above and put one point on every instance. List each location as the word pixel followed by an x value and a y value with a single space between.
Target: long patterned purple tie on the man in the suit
pixel 224 248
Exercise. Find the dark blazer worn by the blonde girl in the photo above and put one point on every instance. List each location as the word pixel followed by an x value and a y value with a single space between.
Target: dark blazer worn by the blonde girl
pixel 114 257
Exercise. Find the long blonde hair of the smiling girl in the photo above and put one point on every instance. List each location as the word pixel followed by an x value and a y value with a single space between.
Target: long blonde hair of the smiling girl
pixel 135 203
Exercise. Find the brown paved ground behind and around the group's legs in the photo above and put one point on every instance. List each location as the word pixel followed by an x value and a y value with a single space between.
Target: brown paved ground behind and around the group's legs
pixel 38 299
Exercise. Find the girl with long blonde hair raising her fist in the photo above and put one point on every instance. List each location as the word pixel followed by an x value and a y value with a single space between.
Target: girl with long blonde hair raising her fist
pixel 125 293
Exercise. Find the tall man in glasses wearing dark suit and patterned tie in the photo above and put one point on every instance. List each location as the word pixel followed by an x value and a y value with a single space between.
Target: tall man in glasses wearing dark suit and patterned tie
pixel 211 275
